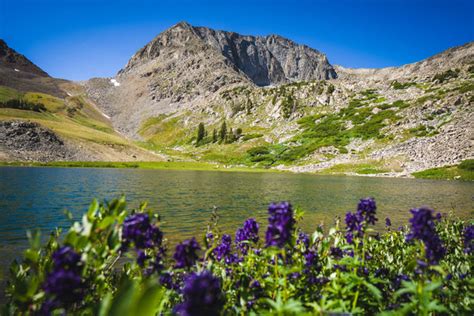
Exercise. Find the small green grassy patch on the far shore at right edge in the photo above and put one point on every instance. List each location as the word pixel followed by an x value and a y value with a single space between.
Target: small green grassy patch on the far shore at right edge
pixel 463 171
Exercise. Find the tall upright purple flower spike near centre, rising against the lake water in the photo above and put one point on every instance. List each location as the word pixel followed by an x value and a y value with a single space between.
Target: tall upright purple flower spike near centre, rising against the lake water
pixel 280 224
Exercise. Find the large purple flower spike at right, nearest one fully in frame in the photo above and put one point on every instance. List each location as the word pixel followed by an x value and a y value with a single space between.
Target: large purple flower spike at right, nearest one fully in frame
pixel 423 228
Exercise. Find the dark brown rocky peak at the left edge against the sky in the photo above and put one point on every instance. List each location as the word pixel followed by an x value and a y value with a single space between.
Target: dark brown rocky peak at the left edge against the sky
pixel 10 59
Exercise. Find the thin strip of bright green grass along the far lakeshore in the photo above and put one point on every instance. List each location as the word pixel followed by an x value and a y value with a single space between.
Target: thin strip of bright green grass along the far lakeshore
pixel 159 165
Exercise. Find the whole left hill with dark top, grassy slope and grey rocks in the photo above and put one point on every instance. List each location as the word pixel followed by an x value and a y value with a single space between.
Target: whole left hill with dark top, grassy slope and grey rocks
pixel 48 119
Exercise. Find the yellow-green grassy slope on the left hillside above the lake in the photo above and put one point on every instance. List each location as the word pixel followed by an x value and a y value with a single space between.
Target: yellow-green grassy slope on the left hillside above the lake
pixel 74 119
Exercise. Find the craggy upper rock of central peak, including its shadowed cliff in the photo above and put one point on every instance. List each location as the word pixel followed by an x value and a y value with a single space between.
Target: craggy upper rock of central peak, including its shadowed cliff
pixel 265 60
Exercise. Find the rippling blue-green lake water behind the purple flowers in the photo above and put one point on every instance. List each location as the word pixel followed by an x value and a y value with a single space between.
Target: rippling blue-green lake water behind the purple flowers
pixel 37 197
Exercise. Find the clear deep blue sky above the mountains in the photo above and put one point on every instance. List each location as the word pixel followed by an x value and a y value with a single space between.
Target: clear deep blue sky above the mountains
pixel 80 39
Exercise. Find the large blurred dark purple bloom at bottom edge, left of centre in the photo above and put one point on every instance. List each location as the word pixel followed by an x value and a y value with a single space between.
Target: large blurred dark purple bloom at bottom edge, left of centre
pixel 202 295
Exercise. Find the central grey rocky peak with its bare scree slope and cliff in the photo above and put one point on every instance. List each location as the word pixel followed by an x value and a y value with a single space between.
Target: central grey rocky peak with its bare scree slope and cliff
pixel 185 63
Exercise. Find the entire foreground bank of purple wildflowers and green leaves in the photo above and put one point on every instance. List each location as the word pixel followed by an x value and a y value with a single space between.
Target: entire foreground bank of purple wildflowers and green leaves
pixel 353 270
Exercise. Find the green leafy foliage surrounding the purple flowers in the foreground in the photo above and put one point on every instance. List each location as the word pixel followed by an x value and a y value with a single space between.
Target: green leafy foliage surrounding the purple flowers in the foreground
pixel 376 274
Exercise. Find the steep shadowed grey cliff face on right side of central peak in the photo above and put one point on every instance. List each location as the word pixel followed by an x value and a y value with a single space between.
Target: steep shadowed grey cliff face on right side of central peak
pixel 269 60
